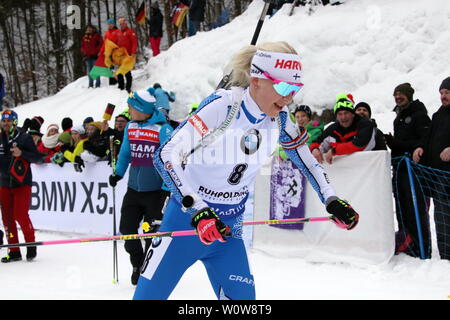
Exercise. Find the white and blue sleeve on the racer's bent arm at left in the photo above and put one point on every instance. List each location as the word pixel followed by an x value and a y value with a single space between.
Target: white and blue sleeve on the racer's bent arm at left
pixel 172 157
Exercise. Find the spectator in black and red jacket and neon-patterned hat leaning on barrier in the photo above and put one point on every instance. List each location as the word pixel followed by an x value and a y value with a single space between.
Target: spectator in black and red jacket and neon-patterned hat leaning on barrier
pixel 348 134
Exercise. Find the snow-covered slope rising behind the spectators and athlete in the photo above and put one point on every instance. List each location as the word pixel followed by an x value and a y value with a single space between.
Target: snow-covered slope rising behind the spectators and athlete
pixel 364 47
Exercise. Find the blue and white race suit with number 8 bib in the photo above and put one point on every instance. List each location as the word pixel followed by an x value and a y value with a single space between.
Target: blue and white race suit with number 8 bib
pixel 217 175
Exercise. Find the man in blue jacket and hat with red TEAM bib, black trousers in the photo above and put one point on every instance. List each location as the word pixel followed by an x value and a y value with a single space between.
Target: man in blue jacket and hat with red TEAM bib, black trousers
pixel 145 196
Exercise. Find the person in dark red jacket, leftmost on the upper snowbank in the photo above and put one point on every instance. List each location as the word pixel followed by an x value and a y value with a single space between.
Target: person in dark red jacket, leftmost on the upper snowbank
pixel 91 44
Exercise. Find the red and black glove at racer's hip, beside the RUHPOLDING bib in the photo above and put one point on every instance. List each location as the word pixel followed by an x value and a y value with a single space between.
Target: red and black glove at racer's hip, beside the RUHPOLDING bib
pixel 209 226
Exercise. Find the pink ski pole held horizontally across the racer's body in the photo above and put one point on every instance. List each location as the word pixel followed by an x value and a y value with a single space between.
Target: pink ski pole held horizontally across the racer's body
pixel 181 233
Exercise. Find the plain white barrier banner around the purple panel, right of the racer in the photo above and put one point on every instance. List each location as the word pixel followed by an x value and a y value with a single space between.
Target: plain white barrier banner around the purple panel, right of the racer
pixel 362 178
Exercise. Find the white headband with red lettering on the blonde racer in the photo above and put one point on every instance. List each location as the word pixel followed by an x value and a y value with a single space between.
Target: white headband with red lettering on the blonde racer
pixel 282 66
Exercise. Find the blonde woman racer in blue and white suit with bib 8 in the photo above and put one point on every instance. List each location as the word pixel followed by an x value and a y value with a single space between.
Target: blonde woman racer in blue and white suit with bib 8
pixel 209 163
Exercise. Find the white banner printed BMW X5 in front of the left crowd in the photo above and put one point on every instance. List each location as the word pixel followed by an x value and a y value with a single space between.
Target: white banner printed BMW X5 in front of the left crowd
pixel 69 201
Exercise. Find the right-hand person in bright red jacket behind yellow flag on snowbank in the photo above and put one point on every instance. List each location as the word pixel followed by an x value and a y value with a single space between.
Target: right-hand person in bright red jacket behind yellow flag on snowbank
pixel 126 38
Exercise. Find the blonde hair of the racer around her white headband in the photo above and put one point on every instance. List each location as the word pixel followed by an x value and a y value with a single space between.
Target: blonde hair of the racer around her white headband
pixel 241 61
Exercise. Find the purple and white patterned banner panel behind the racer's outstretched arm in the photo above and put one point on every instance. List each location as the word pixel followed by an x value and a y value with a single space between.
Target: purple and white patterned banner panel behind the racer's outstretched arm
pixel 287 193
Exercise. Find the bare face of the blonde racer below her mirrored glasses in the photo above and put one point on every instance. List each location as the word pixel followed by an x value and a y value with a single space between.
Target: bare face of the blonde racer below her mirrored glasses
pixel 268 100
